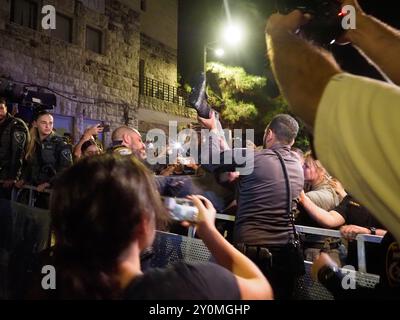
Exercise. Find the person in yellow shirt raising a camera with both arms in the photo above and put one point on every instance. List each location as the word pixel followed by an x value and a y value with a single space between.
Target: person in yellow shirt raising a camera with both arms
pixel 362 154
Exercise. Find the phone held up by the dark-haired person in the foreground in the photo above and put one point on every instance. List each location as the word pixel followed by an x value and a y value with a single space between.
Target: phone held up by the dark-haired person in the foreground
pixel 181 209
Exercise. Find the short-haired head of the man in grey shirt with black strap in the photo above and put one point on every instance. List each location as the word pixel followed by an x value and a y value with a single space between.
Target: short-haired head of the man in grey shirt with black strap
pixel 282 129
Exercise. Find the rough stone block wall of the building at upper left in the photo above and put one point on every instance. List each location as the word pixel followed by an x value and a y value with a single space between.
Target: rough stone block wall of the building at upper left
pixel 88 85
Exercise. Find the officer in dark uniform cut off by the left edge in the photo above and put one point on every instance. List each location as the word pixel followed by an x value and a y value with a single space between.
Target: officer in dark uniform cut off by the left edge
pixel 14 136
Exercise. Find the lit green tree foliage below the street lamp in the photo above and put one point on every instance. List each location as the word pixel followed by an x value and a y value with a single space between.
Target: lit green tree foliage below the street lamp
pixel 242 101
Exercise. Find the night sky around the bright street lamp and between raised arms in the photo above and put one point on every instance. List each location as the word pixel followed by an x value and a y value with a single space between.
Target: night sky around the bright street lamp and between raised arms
pixel 200 21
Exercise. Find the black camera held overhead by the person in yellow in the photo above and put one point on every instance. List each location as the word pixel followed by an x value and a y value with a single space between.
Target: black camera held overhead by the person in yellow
pixel 326 24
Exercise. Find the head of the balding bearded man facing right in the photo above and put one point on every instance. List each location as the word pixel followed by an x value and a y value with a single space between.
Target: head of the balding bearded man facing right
pixel 127 141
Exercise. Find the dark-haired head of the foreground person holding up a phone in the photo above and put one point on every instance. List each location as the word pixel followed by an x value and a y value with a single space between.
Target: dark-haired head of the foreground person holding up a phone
pixel 98 206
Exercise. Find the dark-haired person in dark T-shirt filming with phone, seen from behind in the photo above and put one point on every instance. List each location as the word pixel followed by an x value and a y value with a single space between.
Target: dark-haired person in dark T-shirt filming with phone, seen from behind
pixel 105 210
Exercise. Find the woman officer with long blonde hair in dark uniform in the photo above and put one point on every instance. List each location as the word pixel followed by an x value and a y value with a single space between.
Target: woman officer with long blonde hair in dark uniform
pixel 47 154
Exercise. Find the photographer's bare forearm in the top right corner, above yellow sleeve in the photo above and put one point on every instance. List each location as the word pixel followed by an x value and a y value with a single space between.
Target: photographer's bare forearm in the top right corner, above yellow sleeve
pixel 376 40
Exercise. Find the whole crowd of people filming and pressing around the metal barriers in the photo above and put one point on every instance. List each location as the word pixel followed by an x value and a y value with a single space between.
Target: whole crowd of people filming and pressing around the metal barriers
pixel 106 206
